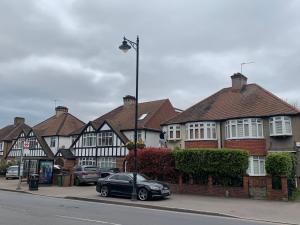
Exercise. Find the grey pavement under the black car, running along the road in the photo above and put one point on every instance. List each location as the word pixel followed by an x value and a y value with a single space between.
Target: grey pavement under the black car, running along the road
pixel 257 210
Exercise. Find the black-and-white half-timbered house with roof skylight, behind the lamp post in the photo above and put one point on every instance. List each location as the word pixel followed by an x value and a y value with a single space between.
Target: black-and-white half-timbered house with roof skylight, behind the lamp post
pixel 102 142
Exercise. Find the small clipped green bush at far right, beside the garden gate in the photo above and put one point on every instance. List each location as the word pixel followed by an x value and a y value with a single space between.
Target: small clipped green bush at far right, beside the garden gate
pixel 280 164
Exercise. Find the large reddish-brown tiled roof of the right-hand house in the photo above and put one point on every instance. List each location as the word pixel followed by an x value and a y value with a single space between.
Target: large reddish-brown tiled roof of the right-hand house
pixel 251 101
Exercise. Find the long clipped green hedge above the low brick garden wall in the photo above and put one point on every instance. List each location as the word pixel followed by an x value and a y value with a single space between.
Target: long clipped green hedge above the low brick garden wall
pixel 215 162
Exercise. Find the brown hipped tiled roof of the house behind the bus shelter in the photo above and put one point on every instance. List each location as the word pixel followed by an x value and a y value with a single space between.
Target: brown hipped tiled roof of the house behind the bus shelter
pixel 61 125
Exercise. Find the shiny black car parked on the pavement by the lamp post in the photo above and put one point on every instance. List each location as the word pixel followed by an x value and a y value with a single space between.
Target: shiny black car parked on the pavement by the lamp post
pixel 120 184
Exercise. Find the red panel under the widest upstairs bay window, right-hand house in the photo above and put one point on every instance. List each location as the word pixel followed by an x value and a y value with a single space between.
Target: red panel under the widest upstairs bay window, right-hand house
pixel 254 146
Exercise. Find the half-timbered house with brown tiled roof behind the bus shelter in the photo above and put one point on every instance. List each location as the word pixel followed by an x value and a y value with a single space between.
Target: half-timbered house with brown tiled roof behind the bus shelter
pixel 44 139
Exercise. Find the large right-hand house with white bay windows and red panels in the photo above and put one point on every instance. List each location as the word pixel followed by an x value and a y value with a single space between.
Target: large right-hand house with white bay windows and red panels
pixel 244 116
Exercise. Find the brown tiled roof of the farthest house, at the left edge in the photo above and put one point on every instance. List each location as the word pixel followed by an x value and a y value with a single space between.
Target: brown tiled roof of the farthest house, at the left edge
pixel 11 132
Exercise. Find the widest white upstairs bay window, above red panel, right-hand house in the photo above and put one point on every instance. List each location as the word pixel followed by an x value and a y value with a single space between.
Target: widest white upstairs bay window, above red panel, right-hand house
pixel 246 128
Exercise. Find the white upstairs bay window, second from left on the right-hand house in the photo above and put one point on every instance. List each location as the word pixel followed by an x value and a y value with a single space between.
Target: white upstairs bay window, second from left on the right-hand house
pixel 201 131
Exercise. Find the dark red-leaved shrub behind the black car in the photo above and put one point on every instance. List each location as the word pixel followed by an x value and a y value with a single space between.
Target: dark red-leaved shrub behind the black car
pixel 157 163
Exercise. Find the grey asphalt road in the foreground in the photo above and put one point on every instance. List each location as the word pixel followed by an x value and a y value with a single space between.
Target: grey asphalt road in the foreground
pixel 26 209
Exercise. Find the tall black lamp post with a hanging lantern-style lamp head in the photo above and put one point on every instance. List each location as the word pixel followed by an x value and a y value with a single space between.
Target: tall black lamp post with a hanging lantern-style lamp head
pixel 125 47
